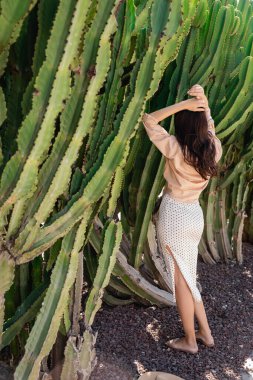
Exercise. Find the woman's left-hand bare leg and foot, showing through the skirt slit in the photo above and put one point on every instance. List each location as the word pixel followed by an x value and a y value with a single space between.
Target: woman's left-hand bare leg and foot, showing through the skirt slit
pixel 185 306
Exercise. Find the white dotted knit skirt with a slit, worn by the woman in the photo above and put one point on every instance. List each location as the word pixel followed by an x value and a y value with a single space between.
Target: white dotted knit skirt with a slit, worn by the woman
pixel 180 226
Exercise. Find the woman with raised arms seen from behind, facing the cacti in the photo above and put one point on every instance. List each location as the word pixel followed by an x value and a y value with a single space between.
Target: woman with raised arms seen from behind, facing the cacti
pixel 191 158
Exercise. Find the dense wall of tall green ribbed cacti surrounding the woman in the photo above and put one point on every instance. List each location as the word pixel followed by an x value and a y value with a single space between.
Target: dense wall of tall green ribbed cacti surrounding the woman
pixel 79 177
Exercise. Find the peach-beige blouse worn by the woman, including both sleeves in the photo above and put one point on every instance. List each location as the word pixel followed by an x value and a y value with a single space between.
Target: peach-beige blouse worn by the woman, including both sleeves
pixel 184 183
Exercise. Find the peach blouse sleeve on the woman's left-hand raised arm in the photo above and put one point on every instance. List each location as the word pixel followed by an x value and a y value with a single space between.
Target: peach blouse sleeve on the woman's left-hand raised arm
pixel 159 136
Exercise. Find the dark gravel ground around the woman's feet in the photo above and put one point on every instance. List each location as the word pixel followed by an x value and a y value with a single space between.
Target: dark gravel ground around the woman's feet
pixel 131 338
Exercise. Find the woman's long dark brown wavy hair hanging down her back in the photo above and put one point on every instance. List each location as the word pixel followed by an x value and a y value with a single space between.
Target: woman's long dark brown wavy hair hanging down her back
pixel 191 131
